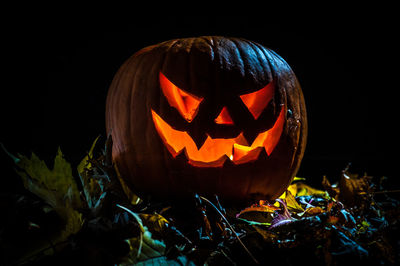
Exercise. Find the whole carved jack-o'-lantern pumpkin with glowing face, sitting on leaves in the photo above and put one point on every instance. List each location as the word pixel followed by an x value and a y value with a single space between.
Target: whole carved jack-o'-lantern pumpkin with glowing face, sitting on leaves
pixel 213 76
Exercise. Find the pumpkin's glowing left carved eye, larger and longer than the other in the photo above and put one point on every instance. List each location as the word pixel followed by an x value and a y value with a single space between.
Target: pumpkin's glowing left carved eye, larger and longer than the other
pixel 187 104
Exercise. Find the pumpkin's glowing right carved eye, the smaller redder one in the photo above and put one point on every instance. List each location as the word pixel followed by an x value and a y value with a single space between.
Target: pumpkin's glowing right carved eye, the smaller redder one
pixel 258 100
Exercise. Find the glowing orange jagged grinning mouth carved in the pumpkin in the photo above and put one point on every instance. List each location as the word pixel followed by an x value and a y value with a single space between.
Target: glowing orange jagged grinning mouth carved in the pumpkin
pixel 215 151
